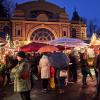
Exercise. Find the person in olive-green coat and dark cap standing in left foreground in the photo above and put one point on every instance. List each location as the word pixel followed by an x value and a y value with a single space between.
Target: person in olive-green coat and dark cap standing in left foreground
pixel 21 74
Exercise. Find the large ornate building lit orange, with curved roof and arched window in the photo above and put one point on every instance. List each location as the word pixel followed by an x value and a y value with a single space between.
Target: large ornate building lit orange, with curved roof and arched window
pixel 42 21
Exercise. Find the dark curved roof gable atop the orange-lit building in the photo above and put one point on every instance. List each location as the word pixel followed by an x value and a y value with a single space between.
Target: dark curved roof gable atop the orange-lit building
pixel 35 7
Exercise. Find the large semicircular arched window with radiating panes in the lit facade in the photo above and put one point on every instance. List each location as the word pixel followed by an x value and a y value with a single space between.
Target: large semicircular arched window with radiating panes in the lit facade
pixel 42 34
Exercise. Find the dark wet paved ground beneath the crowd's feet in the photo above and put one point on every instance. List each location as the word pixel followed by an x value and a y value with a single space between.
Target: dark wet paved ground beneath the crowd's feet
pixel 73 91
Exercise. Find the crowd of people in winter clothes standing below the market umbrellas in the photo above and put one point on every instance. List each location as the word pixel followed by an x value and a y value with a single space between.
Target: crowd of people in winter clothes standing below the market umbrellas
pixel 54 69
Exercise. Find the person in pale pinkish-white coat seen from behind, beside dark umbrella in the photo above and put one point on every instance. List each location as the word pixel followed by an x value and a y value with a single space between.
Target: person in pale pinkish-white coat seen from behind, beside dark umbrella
pixel 44 66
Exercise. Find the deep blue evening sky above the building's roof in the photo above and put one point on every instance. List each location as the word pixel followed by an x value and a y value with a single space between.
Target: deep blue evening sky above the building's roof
pixel 89 9
